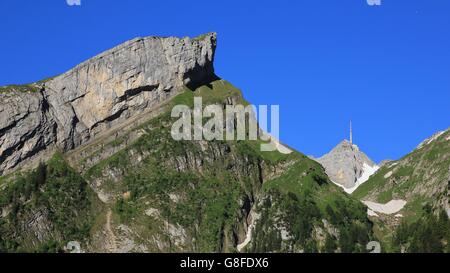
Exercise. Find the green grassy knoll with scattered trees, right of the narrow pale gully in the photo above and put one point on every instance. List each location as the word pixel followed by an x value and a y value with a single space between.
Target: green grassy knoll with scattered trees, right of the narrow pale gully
pixel 303 198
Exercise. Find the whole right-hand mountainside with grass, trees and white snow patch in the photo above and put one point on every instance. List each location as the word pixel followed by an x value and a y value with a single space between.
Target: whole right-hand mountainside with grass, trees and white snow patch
pixel 413 193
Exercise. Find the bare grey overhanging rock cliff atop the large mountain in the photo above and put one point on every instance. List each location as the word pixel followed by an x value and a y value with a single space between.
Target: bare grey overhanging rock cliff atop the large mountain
pixel 106 90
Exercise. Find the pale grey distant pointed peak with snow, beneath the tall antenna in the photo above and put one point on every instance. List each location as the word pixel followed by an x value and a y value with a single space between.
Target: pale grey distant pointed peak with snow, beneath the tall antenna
pixel 348 166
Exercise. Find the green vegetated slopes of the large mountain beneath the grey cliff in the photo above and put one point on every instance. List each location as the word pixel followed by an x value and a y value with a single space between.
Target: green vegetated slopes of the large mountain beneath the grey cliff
pixel 193 195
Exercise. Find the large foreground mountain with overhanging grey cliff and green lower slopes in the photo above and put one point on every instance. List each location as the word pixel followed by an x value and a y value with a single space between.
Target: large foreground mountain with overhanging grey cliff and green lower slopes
pixel 121 183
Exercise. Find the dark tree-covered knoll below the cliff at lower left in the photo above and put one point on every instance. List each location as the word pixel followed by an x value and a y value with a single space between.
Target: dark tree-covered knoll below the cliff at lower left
pixel 53 197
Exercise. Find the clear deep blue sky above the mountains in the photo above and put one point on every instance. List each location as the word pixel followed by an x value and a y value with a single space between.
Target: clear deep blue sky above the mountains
pixel 323 61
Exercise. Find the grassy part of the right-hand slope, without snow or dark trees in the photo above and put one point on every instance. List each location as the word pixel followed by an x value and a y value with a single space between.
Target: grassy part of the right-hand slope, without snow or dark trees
pixel 420 178
